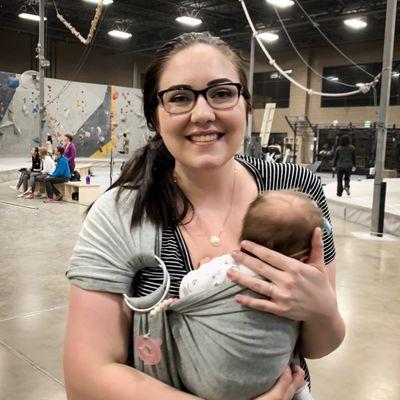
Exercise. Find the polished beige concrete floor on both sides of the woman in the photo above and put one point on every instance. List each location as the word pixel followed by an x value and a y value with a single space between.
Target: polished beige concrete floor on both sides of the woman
pixel 37 242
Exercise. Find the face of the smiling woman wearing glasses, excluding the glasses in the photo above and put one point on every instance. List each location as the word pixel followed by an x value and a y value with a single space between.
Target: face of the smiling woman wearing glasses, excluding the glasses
pixel 204 137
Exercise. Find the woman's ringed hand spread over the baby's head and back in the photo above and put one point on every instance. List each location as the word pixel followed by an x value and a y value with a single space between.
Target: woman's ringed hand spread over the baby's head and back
pixel 293 290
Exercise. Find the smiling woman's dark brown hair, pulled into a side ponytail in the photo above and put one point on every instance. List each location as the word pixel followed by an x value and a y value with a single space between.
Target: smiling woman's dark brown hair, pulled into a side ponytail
pixel 150 170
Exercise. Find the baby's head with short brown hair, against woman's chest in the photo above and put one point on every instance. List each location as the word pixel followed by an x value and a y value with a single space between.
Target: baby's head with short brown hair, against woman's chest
pixel 283 221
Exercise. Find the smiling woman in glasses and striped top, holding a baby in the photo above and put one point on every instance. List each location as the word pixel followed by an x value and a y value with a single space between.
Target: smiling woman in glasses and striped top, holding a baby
pixel 187 181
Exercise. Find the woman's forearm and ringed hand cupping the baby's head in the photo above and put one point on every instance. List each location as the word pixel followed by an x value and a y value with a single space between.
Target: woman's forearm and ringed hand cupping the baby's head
pixel 294 290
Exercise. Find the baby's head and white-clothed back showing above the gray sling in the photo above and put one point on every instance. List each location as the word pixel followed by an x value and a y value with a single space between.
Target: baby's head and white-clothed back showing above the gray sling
pixel 283 221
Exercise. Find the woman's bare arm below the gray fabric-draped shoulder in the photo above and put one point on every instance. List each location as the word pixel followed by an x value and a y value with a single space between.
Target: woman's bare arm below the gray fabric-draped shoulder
pixel 96 348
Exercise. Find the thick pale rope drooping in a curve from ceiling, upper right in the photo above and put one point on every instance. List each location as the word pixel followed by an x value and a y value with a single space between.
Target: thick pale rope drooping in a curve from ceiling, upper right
pixel 362 89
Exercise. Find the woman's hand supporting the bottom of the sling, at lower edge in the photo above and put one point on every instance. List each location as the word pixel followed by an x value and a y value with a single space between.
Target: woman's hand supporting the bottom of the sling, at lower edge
pixel 284 389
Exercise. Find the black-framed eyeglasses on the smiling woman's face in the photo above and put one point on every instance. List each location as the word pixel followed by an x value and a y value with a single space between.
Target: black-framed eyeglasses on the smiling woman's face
pixel 220 96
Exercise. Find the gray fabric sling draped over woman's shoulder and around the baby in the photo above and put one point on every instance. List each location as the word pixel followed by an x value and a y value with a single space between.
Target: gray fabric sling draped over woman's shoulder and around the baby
pixel 210 344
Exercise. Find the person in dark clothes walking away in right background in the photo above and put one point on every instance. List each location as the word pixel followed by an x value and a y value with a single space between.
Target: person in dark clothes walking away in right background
pixel 345 163
